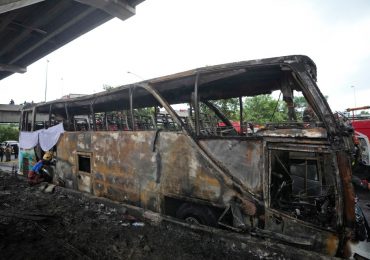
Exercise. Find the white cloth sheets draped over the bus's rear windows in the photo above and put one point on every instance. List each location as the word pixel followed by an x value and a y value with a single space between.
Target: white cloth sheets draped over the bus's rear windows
pixel 46 137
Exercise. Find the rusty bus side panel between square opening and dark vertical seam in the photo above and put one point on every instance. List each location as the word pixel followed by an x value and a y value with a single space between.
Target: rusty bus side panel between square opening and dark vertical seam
pixel 124 168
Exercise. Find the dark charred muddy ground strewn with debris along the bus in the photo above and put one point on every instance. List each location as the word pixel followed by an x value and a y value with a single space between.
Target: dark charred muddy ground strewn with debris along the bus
pixel 69 225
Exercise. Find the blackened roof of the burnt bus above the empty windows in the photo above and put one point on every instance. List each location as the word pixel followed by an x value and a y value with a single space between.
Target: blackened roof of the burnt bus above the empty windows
pixel 246 78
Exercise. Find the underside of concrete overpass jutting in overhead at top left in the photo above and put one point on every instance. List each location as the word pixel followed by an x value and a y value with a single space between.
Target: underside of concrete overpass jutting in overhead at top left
pixel 31 29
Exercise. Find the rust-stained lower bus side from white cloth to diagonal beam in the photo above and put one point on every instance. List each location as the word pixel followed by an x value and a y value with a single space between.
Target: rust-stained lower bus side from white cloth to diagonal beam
pixel 125 167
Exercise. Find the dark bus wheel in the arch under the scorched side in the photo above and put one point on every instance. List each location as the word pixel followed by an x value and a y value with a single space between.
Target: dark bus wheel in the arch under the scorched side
pixel 198 215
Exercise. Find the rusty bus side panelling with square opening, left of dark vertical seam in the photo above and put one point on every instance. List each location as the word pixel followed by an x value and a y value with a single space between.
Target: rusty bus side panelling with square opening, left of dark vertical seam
pixel 123 165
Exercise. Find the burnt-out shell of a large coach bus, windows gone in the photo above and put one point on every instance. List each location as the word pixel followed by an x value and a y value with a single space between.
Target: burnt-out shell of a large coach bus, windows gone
pixel 166 145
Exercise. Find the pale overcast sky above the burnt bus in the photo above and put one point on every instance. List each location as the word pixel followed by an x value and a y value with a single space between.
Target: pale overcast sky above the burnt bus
pixel 169 36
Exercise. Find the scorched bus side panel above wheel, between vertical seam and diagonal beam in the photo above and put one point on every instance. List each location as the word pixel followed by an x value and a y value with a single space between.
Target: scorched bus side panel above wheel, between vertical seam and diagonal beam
pixel 185 173
